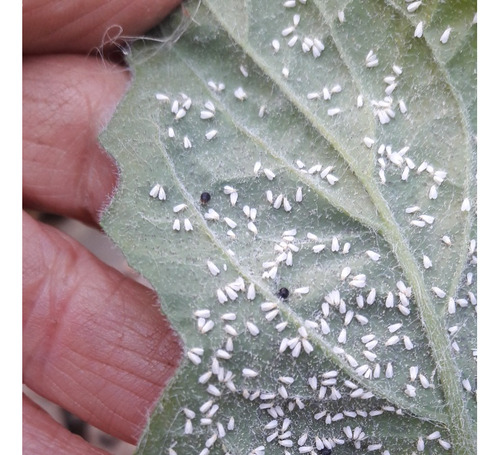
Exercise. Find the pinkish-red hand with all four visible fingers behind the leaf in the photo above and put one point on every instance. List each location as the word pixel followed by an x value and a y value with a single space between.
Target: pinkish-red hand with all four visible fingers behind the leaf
pixel 94 340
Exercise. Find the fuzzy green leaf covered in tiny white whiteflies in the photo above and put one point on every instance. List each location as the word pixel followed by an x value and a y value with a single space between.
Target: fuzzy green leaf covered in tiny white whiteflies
pixel 340 332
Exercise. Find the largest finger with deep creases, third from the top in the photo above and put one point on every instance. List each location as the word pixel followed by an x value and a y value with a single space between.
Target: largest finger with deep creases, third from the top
pixel 94 341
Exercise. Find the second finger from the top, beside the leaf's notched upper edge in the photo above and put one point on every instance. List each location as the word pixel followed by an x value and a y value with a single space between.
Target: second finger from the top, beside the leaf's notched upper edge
pixel 67 100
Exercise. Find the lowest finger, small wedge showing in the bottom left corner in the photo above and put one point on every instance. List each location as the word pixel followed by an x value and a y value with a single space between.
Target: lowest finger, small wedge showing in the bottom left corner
pixel 42 435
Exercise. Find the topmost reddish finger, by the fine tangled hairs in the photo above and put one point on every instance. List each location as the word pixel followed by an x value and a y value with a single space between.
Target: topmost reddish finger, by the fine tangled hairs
pixel 55 26
